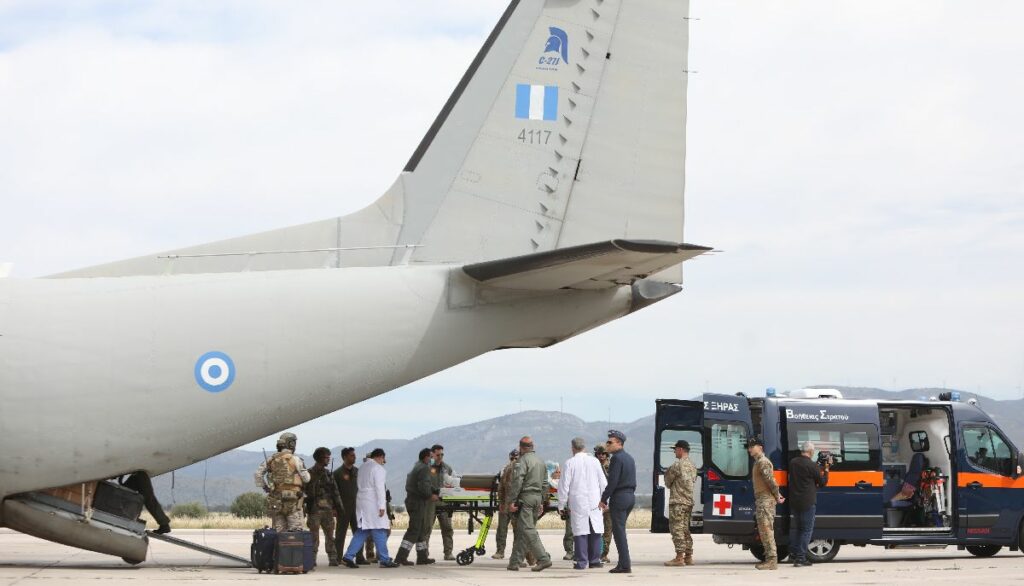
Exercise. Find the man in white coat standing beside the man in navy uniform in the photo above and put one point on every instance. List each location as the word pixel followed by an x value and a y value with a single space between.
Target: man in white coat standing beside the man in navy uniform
pixel 580 491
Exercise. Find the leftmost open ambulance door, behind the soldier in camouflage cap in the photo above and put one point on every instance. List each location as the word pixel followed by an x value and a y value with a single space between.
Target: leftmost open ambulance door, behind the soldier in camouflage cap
pixel 675 421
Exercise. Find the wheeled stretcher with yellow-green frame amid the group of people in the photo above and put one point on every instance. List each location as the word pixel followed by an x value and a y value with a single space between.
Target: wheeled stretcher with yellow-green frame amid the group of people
pixel 477 495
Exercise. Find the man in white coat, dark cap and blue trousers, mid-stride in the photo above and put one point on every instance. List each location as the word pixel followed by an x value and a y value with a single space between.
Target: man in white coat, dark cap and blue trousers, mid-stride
pixel 371 513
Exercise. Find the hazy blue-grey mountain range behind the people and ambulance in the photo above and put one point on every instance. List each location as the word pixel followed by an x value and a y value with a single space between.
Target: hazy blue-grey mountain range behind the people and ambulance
pixel 483 448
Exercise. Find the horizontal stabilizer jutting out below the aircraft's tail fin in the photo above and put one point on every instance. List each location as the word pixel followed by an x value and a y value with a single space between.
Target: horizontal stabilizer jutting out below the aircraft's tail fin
pixel 599 266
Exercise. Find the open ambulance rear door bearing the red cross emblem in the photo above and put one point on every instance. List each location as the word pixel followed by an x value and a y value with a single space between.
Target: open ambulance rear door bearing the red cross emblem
pixel 729 493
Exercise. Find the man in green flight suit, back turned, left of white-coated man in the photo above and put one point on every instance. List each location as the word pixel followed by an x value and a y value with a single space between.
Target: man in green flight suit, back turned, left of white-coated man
pixel 526 503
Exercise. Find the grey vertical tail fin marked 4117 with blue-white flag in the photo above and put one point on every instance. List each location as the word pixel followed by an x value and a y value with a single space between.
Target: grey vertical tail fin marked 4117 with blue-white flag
pixel 569 129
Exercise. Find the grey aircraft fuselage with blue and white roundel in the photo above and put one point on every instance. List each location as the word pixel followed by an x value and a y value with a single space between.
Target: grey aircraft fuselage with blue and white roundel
pixel 116 375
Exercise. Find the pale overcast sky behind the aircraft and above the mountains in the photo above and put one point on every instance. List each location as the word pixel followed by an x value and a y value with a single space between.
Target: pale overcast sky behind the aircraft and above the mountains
pixel 860 163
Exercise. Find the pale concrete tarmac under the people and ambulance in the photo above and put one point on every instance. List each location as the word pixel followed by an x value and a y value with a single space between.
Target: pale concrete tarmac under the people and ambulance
pixel 27 561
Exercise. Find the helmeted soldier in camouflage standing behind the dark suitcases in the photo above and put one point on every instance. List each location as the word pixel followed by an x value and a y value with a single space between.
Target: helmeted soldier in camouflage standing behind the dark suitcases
pixel 282 478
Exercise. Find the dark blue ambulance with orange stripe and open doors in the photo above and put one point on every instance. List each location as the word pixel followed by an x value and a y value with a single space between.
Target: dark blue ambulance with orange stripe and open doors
pixel 929 474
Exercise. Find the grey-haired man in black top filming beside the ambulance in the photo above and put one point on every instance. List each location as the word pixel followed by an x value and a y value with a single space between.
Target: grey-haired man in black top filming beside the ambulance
pixel 806 477
